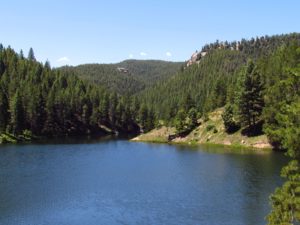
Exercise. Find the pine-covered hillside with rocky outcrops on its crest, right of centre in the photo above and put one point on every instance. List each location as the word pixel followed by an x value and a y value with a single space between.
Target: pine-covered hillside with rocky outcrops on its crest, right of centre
pixel 212 81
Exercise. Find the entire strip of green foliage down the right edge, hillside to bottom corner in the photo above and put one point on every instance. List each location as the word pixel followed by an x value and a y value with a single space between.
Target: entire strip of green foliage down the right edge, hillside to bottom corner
pixel 283 128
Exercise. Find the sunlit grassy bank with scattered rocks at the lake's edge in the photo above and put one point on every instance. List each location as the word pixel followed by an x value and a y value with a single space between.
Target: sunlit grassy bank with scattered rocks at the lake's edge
pixel 209 132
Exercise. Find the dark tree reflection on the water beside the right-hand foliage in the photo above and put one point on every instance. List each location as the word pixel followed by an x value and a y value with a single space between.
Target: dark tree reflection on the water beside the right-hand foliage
pixel 259 176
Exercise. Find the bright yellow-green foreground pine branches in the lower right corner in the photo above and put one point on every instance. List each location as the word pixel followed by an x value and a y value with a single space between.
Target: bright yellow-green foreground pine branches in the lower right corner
pixel 286 199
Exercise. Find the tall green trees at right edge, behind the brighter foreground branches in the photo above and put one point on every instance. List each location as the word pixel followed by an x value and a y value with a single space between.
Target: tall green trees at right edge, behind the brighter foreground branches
pixel 284 89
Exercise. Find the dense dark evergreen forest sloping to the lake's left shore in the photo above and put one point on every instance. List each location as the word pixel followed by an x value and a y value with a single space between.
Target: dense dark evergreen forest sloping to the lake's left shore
pixel 38 100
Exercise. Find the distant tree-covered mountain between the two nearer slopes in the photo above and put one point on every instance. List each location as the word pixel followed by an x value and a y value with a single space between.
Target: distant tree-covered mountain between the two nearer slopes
pixel 127 77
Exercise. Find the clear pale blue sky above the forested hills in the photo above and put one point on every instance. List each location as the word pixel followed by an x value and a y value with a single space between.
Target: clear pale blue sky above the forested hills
pixel 76 32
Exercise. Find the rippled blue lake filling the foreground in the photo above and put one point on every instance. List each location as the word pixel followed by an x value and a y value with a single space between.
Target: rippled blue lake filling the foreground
pixel 120 182
